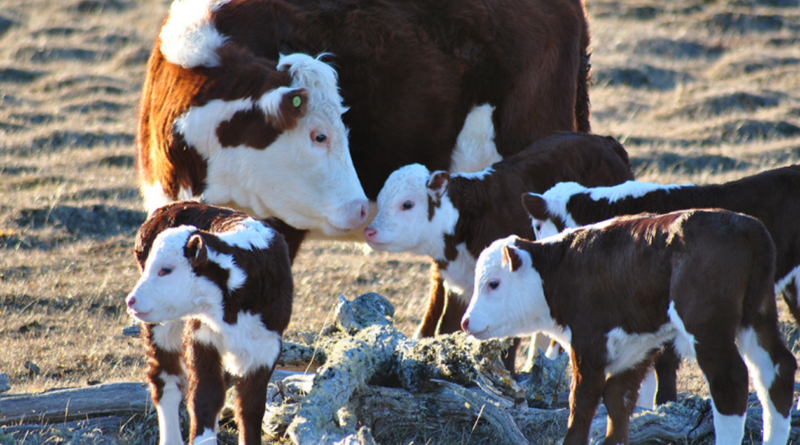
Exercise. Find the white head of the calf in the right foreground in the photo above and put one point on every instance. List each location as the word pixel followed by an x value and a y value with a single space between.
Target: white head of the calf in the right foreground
pixel 508 298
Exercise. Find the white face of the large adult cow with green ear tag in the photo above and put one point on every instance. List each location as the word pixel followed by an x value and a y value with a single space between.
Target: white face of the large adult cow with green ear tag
pixel 305 176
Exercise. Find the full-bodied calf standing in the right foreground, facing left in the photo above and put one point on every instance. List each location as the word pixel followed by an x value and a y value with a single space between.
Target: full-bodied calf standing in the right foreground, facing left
pixel 615 291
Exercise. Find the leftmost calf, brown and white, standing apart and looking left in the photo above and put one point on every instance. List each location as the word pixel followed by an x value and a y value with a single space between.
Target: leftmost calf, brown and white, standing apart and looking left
pixel 215 297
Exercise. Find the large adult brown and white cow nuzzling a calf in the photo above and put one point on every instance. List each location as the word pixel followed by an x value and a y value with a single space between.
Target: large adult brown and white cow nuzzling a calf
pixel 226 117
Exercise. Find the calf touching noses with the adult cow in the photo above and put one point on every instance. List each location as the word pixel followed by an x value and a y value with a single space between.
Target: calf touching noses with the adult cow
pixel 451 218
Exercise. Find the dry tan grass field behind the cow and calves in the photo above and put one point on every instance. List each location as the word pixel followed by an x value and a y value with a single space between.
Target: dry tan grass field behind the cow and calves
pixel 698 91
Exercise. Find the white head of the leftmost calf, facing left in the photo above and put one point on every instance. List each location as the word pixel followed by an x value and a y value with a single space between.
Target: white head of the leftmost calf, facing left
pixel 171 287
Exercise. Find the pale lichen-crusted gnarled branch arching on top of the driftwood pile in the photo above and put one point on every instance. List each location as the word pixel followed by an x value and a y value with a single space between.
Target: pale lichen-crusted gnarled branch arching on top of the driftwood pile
pixel 365 348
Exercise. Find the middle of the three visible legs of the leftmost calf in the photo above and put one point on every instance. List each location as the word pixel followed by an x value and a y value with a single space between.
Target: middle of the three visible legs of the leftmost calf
pixel 205 395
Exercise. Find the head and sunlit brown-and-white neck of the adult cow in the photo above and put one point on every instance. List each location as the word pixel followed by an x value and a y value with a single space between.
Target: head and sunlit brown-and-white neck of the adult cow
pixel 221 124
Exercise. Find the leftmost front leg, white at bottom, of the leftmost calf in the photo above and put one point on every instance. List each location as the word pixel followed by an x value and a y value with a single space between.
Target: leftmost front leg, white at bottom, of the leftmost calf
pixel 166 377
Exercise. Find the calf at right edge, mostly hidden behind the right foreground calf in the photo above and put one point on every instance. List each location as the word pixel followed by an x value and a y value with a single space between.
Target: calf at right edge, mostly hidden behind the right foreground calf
pixel 772 196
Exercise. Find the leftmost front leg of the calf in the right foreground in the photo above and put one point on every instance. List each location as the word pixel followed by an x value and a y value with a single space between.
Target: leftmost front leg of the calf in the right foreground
pixel 588 379
